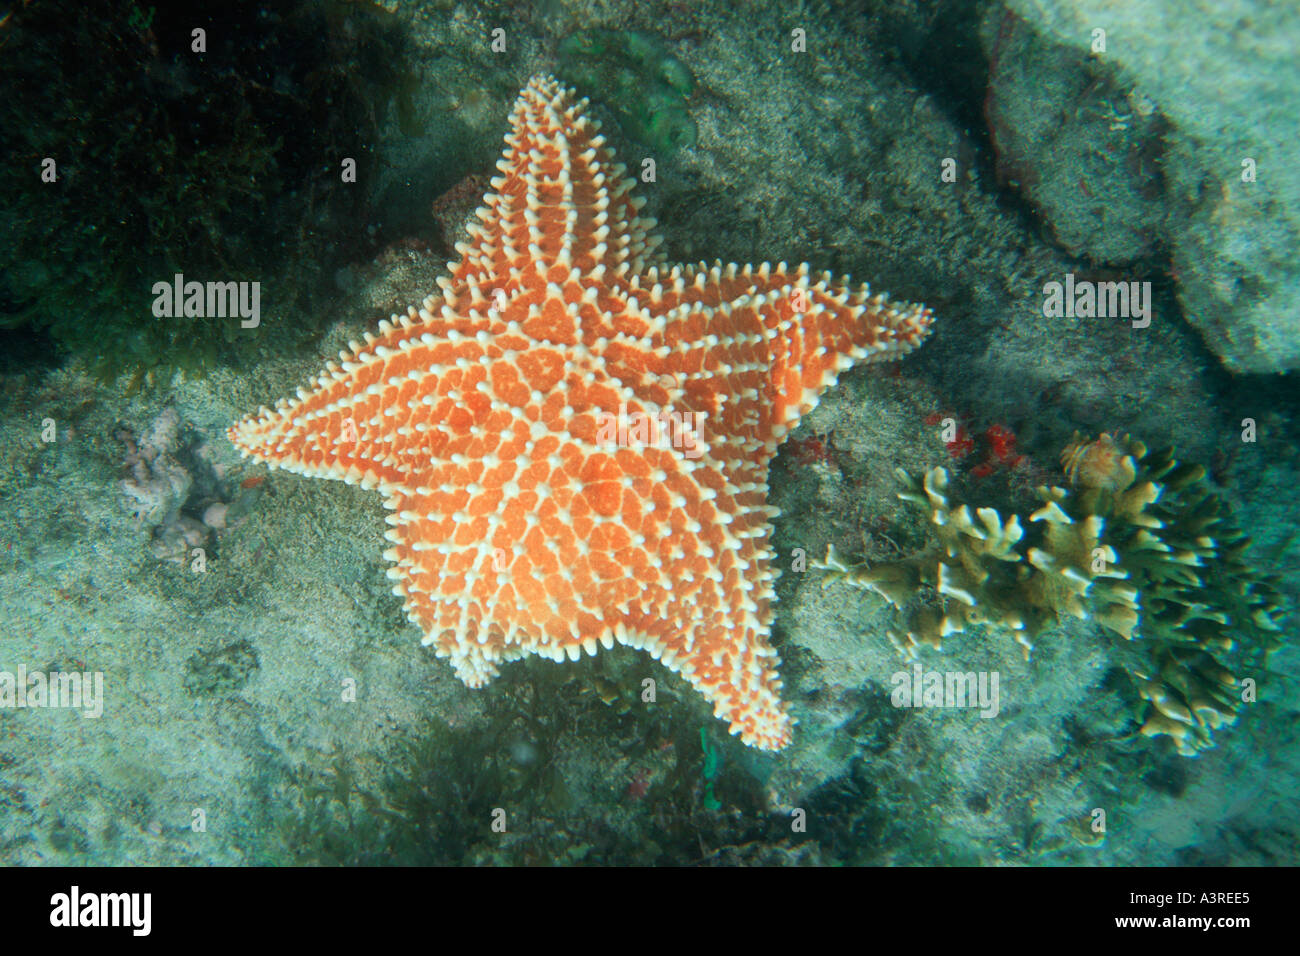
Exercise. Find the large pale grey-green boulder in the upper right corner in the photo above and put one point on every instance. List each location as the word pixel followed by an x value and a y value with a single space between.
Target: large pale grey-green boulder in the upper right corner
pixel 1134 145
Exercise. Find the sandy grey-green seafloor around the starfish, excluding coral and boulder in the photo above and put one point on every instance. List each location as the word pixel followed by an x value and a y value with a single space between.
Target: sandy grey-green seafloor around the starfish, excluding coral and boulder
pixel 224 689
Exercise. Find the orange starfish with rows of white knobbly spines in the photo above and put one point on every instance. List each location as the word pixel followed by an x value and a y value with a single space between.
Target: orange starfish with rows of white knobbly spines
pixel 574 438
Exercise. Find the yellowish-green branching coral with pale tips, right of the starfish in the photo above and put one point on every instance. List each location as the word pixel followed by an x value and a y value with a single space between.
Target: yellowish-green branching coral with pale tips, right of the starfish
pixel 1138 544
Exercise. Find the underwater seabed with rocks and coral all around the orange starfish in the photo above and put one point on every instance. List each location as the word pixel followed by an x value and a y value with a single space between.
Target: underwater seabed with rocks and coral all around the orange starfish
pixel 268 702
